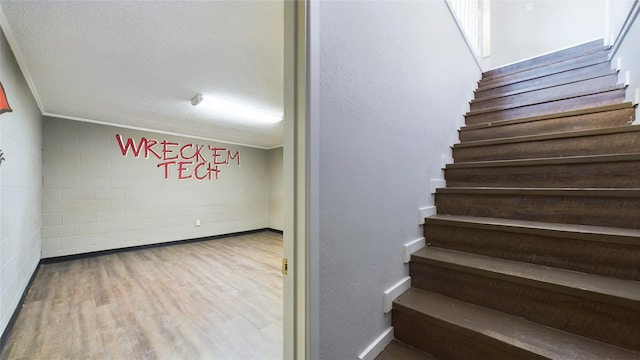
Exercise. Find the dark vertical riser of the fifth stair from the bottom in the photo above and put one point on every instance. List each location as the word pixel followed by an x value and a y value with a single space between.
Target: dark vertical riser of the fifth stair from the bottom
pixel 583 175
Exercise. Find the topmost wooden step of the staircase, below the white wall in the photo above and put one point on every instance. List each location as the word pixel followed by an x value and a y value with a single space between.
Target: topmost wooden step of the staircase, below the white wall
pixel 538 61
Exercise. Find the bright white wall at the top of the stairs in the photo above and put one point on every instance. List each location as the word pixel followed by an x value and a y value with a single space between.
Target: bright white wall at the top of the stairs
pixel 526 28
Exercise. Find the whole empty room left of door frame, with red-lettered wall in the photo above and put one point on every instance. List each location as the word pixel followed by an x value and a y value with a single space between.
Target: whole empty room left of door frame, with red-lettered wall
pixel 106 153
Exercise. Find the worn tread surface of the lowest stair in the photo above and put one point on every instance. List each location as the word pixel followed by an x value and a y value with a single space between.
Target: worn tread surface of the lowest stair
pixel 538 339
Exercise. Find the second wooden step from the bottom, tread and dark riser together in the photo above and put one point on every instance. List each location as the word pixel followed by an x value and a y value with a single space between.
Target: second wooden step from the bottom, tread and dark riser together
pixel 566 300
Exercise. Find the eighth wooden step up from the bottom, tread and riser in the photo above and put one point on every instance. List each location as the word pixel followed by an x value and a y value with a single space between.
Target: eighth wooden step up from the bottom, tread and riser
pixel 578 100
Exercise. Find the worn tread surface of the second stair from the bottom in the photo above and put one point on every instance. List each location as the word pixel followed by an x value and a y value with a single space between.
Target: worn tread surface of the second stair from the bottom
pixel 609 290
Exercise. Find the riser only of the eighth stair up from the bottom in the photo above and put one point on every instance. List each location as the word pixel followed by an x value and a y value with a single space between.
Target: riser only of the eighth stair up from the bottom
pixel 600 99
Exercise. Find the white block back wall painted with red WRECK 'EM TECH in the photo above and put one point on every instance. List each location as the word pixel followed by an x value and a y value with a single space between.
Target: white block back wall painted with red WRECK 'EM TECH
pixel 95 199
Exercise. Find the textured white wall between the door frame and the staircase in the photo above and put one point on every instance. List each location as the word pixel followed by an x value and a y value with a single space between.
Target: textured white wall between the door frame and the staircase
pixel 389 91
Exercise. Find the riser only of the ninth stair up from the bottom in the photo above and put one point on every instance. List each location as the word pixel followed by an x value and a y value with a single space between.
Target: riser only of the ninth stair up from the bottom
pixel 547 94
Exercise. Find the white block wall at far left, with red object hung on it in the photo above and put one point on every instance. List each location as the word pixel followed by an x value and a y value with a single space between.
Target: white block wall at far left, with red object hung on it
pixel 20 186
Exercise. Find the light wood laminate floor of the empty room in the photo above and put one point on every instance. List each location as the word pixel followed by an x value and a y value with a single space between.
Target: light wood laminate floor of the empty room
pixel 217 299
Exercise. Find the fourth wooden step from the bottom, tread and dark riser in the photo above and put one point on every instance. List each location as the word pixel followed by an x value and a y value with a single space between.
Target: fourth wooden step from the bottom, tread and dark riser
pixel 599 207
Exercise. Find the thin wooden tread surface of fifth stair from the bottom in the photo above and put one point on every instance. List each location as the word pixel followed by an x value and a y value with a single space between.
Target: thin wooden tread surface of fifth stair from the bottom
pixel 606 158
